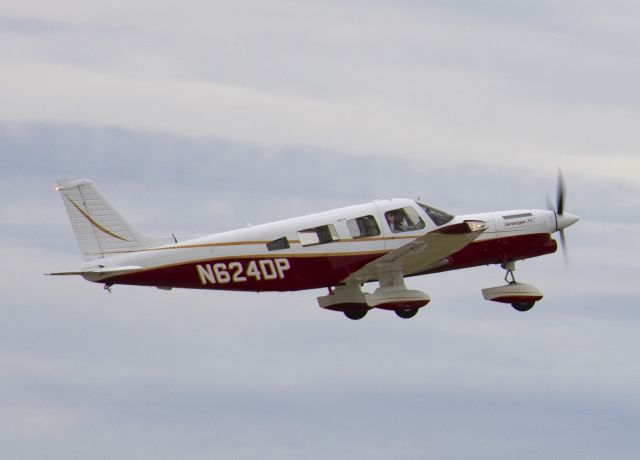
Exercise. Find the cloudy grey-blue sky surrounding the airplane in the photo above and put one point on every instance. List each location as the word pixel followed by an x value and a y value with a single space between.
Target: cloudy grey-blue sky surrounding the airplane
pixel 202 116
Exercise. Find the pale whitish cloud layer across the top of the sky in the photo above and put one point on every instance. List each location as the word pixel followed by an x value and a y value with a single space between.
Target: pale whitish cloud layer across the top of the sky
pixel 513 85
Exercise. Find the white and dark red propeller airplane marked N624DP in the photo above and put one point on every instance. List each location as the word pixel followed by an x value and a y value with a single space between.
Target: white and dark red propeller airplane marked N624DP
pixel 384 241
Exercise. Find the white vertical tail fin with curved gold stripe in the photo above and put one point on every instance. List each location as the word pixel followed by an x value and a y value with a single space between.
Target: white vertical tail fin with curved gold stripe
pixel 100 230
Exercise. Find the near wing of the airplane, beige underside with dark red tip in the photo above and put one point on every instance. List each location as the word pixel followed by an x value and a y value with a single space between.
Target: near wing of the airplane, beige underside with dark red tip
pixel 428 251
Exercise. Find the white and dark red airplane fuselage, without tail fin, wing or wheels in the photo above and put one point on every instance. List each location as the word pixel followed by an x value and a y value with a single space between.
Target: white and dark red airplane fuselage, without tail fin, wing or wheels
pixel 322 250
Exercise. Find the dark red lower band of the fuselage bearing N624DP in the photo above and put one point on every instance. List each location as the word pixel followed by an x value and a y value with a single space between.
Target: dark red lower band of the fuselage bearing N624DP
pixel 321 271
